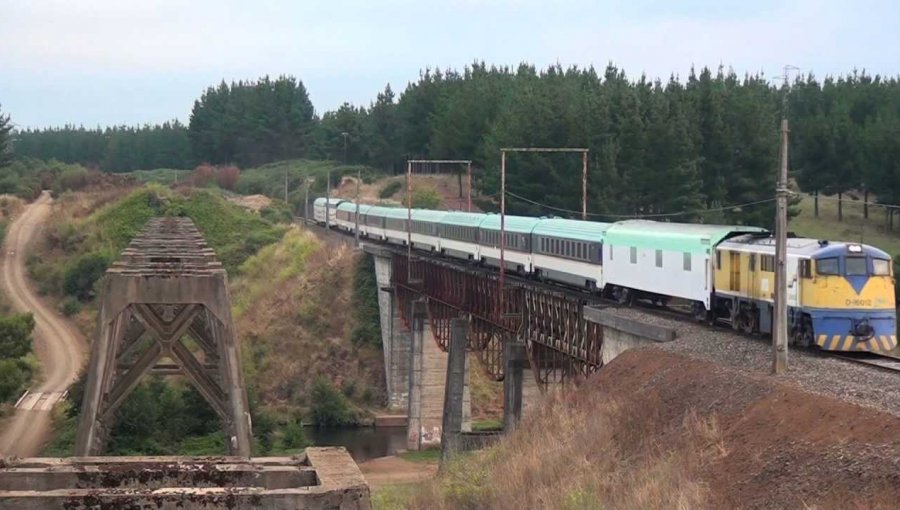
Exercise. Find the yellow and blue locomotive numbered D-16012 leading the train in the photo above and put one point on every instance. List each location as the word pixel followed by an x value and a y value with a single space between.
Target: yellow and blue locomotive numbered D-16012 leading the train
pixel 840 295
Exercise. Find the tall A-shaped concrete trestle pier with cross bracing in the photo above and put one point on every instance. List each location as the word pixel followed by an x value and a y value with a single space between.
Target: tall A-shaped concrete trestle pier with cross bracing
pixel 167 286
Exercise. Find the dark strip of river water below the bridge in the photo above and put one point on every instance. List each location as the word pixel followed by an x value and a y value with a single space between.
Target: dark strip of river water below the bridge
pixel 363 443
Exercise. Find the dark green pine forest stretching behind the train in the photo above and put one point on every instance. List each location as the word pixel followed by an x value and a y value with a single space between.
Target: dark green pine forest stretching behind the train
pixel 705 142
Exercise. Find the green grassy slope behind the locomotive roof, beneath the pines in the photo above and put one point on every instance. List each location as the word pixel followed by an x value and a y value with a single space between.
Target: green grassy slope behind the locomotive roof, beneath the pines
pixel 853 228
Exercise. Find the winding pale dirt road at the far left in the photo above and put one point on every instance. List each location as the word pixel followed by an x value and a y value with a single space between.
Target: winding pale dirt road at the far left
pixel 57 343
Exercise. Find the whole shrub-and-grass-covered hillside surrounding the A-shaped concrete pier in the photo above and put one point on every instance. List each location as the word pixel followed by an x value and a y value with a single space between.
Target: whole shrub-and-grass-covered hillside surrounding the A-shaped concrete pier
pixel 304 358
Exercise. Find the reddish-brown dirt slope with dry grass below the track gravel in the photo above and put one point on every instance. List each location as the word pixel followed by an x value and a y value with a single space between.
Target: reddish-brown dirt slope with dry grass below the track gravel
pixel 657 430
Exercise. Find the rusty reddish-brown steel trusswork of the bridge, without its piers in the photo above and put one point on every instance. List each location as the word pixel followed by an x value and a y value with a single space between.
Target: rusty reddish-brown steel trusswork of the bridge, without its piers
pixel 560 343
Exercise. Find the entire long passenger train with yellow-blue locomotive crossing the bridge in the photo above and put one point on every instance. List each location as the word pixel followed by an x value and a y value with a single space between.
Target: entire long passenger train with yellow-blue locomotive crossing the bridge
pixel 840 295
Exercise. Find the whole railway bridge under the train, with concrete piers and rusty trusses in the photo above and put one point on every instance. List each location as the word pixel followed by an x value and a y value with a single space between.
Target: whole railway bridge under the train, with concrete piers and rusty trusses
pixel 530 335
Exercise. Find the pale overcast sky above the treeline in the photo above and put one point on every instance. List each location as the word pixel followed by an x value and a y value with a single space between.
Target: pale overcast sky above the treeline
pixel 130 62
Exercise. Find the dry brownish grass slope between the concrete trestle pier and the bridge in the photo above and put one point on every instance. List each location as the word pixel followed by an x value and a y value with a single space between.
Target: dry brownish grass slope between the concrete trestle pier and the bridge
pixel 291 304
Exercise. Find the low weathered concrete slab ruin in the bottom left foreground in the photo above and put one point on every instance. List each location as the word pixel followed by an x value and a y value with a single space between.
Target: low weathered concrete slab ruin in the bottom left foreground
pixel 322 478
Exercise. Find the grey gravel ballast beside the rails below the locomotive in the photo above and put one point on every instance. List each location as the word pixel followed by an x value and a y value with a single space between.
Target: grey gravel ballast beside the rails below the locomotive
pixel 813 371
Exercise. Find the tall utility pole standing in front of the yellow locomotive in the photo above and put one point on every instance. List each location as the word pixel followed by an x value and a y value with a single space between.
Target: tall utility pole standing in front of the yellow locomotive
pixel 780 326
